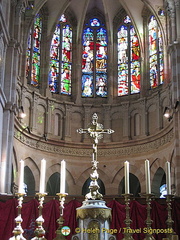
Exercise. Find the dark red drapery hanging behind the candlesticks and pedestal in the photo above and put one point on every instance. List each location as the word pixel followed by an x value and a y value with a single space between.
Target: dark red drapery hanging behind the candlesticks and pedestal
pixel 138 214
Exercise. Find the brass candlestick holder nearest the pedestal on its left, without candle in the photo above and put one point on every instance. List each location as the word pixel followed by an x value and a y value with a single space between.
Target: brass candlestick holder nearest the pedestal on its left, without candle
pixel 60 220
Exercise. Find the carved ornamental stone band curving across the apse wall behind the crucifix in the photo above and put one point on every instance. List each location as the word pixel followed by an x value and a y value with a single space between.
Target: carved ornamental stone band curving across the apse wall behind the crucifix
pixel 119 151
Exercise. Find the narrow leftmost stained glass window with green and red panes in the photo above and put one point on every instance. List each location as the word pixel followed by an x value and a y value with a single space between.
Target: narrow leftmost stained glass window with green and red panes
pixel 33 52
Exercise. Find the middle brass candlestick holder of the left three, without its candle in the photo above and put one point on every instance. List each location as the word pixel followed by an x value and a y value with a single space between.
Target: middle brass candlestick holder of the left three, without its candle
pixel 39 231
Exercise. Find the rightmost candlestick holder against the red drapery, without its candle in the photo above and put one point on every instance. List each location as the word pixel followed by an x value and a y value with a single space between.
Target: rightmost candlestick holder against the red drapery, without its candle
pixel 169 220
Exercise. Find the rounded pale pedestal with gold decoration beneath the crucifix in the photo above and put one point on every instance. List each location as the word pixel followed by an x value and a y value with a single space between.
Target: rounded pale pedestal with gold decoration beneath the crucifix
pixel 94 221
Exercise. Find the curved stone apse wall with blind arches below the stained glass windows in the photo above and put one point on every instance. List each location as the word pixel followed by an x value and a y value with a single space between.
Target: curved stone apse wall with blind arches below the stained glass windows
pixel 50 131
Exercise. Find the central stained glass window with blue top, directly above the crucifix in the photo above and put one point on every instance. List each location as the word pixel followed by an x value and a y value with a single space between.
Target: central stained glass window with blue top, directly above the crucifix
pixel 94 60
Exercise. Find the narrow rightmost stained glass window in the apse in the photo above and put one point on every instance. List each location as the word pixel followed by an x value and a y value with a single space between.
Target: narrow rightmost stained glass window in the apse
pixel 155 53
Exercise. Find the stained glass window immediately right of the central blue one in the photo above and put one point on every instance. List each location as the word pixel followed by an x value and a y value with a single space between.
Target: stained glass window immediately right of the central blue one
pixel 128 59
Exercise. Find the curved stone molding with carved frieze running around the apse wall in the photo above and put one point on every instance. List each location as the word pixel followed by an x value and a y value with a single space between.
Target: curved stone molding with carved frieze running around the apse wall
pixel 114 149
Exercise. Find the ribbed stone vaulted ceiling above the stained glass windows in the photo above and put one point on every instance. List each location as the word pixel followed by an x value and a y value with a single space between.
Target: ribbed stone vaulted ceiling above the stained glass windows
pixel 108 8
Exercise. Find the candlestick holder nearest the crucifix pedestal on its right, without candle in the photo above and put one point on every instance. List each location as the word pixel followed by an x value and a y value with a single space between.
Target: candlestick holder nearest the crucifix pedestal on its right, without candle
pixel 127 230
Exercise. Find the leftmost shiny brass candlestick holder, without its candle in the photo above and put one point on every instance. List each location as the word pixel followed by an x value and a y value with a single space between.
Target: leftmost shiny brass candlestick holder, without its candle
pixel 18 231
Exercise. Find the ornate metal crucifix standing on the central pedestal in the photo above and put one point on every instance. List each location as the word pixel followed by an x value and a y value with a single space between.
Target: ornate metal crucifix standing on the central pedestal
pixel 95 131
